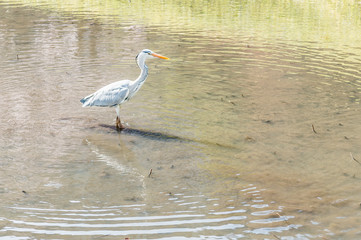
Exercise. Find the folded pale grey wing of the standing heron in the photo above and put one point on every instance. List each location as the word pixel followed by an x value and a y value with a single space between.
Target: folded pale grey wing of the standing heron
pixel 108 96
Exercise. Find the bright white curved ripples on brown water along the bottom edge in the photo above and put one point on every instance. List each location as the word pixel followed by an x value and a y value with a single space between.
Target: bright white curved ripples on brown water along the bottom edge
pixel 193 216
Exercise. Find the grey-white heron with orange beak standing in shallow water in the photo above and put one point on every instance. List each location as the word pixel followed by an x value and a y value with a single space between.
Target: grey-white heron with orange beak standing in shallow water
pixel 117 93
